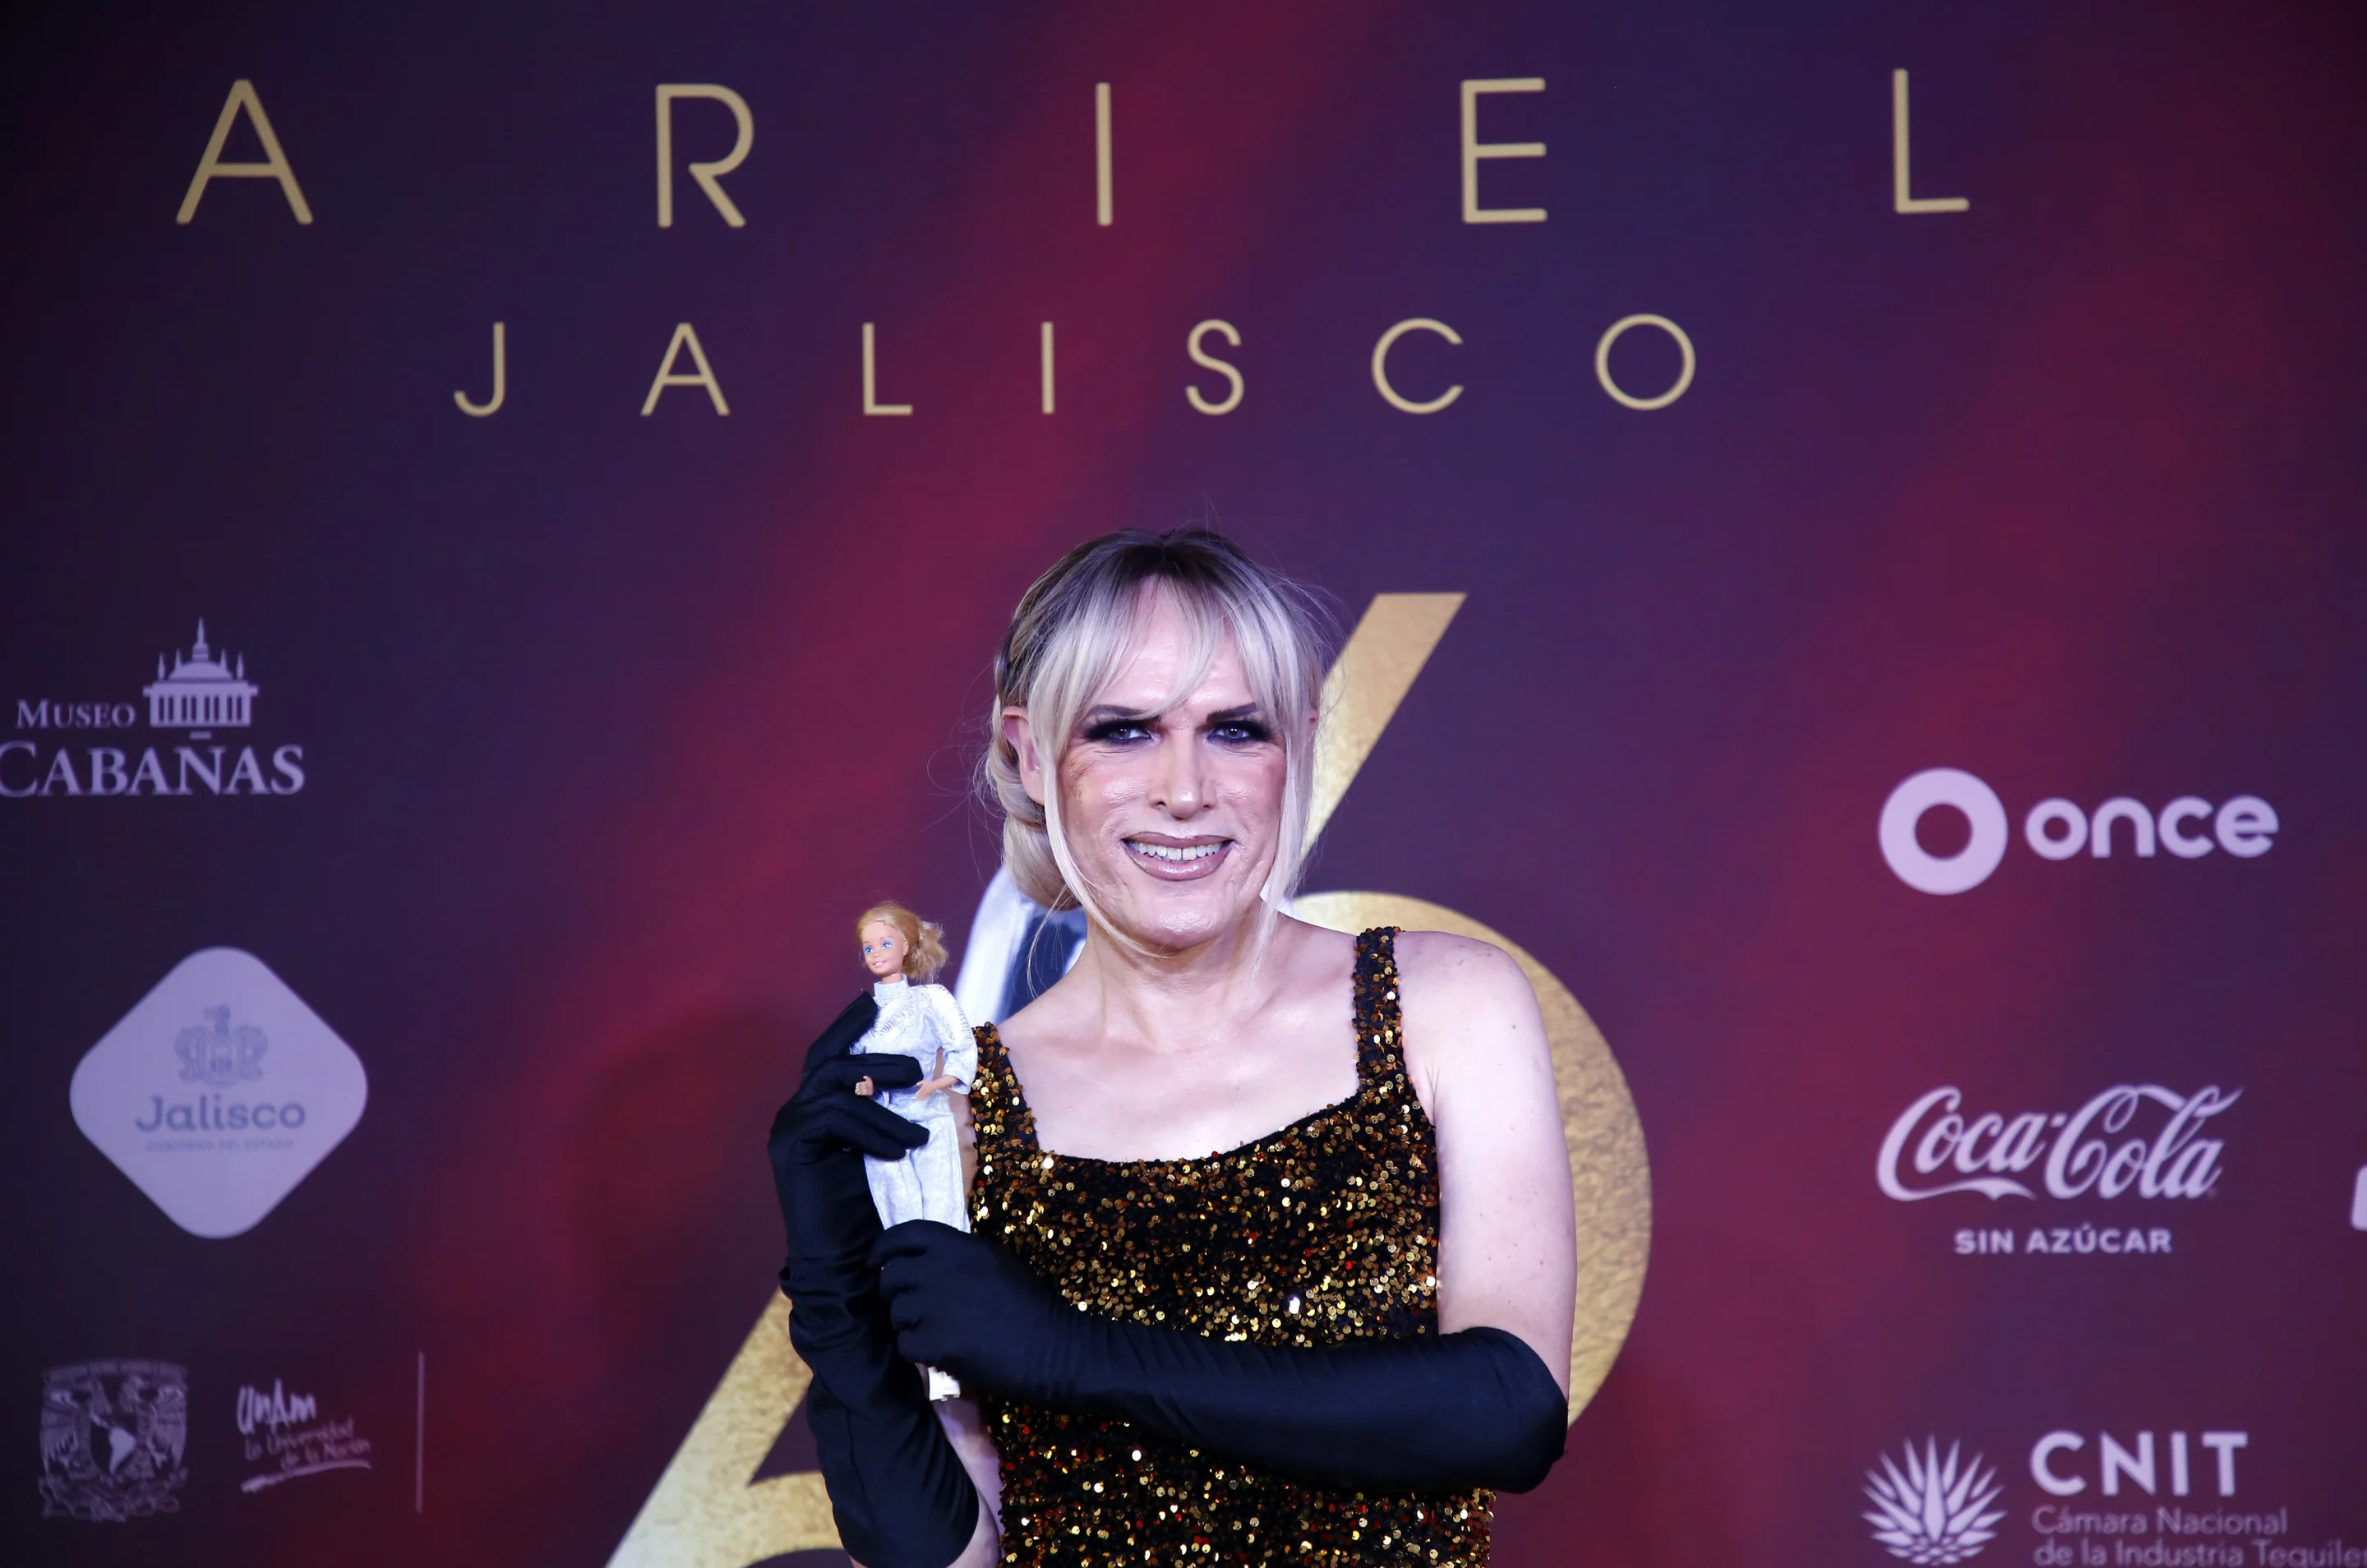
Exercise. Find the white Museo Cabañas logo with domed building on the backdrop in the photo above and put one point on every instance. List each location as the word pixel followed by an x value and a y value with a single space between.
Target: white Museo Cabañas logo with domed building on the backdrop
pixel 205 690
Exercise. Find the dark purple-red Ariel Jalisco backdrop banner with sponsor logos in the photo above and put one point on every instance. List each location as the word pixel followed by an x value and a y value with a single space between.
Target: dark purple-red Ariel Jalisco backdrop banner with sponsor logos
pixel 1852 527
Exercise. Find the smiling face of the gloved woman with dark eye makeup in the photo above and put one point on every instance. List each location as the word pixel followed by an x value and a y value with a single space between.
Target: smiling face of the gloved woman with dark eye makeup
pixel 1170 816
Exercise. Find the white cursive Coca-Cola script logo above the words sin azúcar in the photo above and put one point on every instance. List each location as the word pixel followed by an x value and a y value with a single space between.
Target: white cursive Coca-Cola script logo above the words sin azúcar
pixel 2098 1150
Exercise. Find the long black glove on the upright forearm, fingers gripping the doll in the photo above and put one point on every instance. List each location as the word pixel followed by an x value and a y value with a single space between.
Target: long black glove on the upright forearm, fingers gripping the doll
pixel 898 1489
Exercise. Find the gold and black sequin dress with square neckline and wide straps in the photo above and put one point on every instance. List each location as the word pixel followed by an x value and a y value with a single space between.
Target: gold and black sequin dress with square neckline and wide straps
pixel 1315 1235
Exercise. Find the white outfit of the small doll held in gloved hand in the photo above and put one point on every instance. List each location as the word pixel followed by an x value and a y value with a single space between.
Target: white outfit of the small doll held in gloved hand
pixel 927 1183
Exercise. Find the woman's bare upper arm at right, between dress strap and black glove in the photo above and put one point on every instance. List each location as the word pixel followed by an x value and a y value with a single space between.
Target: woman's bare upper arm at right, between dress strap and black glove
pixel 1476 1048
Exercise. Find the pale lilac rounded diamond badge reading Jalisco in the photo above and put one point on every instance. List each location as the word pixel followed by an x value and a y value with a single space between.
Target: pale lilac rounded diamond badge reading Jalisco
pixel 219 1093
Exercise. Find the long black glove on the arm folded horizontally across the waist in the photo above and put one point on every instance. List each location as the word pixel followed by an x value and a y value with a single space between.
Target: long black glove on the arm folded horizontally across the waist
pixel 1412 1415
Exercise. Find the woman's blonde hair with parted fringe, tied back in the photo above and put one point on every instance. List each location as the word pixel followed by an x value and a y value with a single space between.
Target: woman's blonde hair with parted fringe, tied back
pixel 1066 643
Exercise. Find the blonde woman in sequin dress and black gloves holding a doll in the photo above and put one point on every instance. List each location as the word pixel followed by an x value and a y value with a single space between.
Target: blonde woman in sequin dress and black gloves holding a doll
pixel 1272 1226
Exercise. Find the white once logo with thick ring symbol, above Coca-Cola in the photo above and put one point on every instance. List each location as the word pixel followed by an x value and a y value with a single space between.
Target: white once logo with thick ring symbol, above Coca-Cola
pixel 2058 830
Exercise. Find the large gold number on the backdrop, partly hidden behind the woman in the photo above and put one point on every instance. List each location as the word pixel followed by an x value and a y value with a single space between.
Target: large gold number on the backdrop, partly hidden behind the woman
pixel 707 1512
